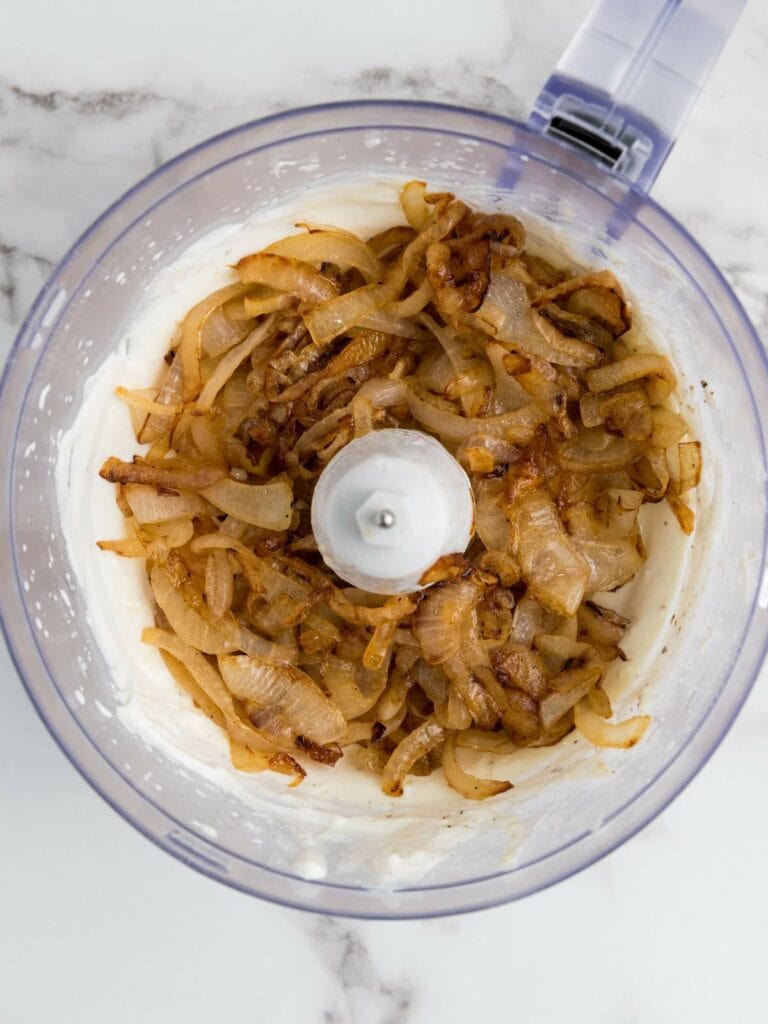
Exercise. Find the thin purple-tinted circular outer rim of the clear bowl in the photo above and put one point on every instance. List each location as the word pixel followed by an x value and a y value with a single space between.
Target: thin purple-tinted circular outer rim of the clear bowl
pixel 30 325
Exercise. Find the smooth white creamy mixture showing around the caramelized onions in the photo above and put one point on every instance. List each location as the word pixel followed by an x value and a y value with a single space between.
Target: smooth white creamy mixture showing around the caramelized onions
pixel 410 834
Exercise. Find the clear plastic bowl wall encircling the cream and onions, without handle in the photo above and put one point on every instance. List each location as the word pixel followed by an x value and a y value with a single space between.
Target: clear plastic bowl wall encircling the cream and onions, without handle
pixel 715 647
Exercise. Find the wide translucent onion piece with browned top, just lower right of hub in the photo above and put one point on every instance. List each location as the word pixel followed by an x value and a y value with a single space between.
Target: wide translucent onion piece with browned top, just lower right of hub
pixel 556 571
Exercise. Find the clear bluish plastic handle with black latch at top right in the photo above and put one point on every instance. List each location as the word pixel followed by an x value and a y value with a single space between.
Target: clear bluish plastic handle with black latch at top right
pixel 625 86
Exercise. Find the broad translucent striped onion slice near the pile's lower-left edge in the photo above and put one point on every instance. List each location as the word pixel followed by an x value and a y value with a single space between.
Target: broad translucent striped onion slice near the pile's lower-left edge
pixel 288 691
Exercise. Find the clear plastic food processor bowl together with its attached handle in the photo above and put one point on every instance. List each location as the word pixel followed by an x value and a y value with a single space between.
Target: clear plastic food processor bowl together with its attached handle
pixel 579 170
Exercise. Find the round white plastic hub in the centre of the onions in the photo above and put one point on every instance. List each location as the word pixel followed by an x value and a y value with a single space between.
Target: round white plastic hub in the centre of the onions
pixel 388 507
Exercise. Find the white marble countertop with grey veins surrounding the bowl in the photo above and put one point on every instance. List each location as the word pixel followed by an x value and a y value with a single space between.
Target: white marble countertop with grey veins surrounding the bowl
pixel 97 923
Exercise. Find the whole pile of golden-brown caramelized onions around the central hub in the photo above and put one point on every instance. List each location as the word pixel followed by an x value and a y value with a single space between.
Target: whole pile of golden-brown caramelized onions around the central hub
pixel 521 368
